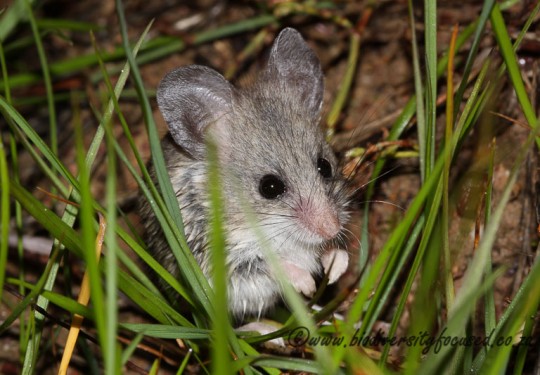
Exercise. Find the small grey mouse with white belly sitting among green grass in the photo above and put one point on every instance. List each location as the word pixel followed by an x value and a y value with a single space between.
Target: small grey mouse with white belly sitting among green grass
pixel 272 156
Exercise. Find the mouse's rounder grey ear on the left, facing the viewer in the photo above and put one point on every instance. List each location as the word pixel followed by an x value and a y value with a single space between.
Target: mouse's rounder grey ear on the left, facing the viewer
pixel 190 99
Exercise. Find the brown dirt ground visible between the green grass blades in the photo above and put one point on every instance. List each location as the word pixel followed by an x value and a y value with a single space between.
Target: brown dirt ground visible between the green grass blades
pixel 383 86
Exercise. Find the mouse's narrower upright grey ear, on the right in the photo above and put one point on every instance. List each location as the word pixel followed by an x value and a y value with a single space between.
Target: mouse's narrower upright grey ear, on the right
pixel 296 66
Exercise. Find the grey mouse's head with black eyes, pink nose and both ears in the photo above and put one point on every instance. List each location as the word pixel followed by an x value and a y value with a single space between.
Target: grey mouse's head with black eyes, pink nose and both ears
pixel 270 145
